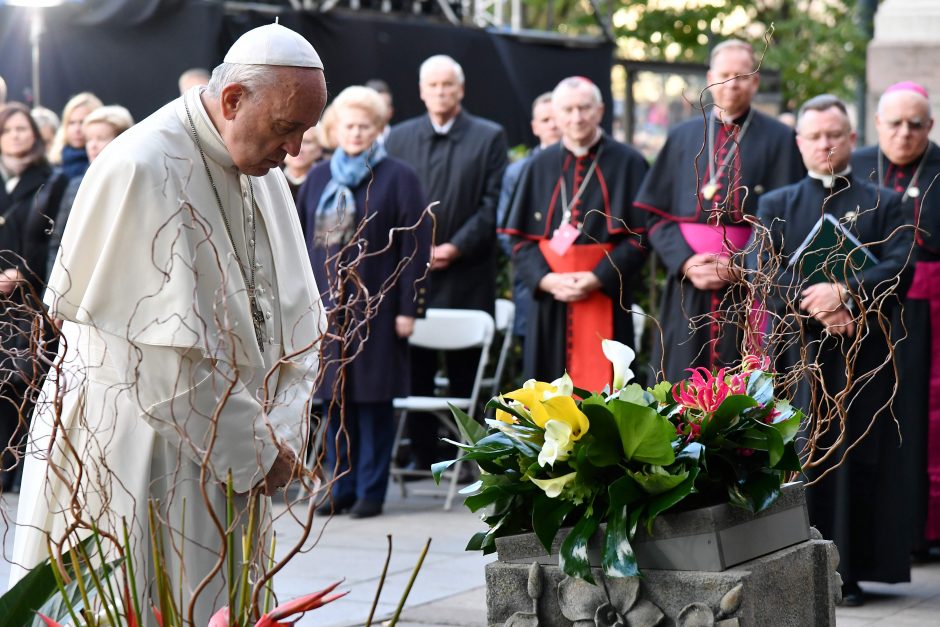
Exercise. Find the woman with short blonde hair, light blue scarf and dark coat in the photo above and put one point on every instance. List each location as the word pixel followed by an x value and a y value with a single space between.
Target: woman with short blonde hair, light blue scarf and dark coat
pixel 365 206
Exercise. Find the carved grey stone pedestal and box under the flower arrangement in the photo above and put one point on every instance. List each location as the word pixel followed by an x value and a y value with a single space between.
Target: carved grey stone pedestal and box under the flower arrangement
pixel 769 569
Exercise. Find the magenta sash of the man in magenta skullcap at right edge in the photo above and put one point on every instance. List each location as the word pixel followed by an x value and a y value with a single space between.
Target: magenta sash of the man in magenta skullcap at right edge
pixel 926 286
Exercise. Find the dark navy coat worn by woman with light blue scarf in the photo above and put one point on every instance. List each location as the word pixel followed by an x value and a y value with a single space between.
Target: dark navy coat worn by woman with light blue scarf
pixel 381 371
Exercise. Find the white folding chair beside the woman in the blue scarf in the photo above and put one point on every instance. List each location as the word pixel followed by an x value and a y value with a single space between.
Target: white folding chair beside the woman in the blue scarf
pixel 444 330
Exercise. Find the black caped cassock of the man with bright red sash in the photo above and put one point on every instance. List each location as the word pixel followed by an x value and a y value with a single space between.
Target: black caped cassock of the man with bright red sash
pixel 609 175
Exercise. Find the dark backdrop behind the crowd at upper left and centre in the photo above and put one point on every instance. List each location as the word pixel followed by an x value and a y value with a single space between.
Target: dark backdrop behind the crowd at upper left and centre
pixel 131 53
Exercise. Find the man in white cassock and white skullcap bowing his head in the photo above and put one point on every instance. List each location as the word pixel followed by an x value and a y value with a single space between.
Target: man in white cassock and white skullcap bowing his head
pixel 190 324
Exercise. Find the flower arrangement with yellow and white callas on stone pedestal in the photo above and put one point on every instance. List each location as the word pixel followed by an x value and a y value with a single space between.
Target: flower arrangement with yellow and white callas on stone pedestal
pixel 556 455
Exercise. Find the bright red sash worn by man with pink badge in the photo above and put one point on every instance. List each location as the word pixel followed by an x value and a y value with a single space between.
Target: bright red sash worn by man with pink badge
pixel 589 320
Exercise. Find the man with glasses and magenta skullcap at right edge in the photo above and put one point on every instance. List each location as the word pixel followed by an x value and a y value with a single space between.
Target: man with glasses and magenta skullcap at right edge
pixel 907 162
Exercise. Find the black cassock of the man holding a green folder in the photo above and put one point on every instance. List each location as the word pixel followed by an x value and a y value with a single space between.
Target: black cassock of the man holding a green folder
pixel 862 505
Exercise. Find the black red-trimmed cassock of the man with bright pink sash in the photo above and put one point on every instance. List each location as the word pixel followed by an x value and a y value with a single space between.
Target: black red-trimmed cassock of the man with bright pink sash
pixel 672 193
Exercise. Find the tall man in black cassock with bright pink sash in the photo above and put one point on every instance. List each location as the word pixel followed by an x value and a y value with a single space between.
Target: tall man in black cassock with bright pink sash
pixel 712 170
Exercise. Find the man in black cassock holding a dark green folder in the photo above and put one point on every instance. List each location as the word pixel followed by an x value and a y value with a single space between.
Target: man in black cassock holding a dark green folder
pixel 842 351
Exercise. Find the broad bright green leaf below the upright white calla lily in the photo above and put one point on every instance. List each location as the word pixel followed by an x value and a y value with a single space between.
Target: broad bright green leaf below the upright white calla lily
pixel 645 435
